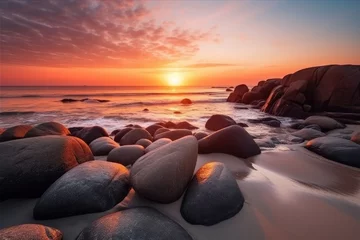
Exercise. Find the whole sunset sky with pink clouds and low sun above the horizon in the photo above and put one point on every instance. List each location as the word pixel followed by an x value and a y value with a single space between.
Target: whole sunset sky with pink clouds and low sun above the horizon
pixel 195 43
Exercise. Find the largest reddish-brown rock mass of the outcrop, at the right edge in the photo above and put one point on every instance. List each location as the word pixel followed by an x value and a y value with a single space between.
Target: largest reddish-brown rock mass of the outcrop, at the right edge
pixel 332 88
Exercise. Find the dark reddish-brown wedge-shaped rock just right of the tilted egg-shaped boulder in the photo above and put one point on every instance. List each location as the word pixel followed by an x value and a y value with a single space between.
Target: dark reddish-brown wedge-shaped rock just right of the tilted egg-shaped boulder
pixel 233 140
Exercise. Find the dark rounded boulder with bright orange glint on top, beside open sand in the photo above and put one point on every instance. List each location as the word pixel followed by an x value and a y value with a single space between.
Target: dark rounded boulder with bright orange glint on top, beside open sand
pixel 212 196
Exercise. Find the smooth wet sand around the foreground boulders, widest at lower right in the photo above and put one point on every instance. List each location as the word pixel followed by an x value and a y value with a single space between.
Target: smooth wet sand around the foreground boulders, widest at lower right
pixel 292 194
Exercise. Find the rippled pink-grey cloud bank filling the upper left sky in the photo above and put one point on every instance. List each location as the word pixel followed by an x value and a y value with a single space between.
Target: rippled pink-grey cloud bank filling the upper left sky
pixel 91 33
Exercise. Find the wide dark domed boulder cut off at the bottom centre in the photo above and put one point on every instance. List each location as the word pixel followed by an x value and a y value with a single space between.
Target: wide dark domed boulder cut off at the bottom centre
pixel 135 224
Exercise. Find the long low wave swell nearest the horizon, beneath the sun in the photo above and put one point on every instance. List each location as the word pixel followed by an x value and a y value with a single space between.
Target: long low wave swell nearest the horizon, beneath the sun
pixel 89 95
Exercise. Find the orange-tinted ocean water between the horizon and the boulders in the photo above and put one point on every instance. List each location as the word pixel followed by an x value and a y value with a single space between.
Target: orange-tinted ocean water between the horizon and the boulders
pixel 34 105
